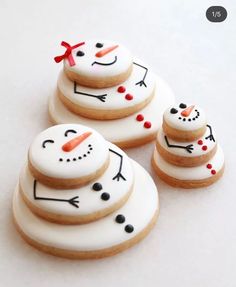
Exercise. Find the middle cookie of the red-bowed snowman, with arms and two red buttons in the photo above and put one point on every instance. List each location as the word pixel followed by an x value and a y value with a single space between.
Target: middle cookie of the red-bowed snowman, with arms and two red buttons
pixel 109 103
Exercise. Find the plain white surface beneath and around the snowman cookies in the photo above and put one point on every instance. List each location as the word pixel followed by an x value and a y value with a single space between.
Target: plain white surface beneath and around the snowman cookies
pixel 194 242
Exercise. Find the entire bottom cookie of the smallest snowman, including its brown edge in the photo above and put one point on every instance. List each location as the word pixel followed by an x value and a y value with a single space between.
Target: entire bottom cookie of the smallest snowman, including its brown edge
pixel 190 177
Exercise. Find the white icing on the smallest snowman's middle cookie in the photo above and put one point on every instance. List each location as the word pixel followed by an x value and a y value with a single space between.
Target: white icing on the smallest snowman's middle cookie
pixel 195 148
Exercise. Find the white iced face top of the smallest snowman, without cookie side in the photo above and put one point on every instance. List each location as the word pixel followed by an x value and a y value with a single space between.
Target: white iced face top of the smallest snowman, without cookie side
pixel 185 117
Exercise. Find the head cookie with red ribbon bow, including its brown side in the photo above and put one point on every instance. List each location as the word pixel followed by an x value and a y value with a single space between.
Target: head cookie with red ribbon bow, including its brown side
pixel 97 63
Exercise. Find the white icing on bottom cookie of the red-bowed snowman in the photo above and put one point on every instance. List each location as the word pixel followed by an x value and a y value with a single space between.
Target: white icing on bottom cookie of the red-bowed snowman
pixel 124 129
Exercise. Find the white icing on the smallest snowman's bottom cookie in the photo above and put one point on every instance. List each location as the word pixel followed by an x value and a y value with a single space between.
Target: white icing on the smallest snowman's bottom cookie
pixel 191 173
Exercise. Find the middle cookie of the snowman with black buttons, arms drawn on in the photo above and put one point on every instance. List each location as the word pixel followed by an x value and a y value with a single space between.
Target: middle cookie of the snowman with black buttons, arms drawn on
pixel 87 203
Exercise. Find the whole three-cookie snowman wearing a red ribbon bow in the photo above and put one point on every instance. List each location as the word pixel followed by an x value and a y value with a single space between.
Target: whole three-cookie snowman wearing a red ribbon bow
pixel 103 87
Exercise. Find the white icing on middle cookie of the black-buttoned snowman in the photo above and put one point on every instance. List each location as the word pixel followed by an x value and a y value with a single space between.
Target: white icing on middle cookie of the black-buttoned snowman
pixel 89 200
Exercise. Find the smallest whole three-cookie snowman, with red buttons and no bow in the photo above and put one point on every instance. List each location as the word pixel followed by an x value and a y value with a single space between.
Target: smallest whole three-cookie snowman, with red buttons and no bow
pixel 187 154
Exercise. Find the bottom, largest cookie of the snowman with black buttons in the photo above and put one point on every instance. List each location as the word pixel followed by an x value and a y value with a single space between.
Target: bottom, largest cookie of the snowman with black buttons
pixel 105 237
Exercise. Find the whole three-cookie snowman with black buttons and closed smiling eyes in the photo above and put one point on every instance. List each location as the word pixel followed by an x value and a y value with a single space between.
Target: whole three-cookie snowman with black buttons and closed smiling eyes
pixel 80 196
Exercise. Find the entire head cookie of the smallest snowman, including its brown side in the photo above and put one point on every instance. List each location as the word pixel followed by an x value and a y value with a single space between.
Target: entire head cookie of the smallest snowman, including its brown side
pixel 184 122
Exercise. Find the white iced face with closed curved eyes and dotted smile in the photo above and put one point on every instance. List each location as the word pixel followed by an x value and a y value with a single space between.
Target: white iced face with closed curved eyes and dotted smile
pixel 68 151
